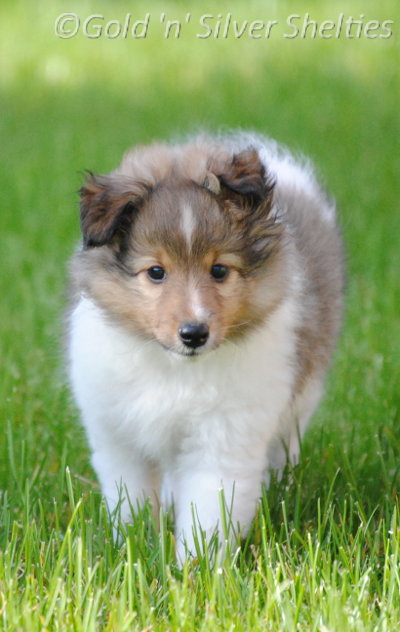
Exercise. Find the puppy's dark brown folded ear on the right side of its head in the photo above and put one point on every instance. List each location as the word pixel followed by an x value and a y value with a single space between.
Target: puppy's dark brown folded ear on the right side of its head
pixel 246 176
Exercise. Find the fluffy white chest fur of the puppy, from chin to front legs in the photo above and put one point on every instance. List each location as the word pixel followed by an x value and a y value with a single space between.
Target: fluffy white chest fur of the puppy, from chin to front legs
pixel 136 393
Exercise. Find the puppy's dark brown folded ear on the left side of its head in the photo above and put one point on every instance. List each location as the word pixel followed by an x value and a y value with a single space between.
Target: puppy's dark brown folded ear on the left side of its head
pixel 106 203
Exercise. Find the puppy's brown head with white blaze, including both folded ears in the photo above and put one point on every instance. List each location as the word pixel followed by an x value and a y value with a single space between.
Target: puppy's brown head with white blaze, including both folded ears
pixel 188 262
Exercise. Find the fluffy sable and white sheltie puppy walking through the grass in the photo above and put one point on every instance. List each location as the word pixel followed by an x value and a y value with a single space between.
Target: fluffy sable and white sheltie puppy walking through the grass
pixel 206 301
